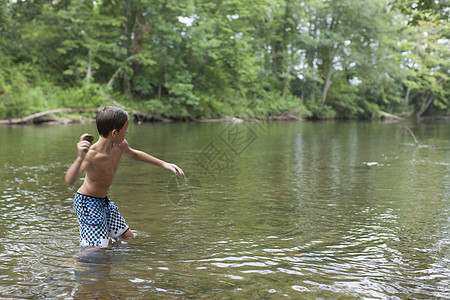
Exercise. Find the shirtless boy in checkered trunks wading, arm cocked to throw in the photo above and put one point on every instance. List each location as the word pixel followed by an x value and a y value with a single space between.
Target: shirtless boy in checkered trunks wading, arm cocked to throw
pixel 98 217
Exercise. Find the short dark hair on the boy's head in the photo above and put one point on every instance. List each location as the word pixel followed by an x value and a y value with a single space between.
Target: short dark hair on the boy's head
pixel 110 118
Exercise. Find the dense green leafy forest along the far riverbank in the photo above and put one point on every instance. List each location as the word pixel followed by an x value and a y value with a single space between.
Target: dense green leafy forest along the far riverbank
pixel 197 59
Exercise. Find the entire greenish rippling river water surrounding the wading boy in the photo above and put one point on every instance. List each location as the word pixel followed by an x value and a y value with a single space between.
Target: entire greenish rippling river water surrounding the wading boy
pixel 298 210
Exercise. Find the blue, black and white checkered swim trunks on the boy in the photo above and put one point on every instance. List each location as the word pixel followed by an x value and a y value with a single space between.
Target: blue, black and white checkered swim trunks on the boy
pixel 99 220
